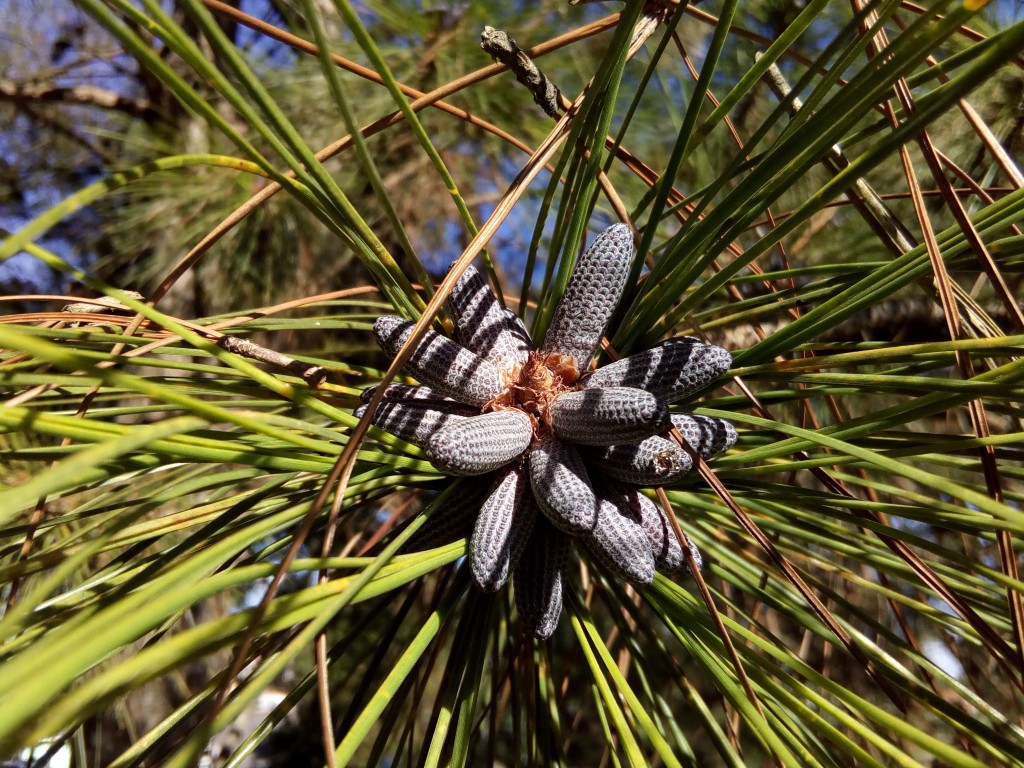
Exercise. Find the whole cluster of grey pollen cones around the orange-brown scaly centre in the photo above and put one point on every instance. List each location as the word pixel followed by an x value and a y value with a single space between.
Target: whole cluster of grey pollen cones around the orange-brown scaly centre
pixel 560 452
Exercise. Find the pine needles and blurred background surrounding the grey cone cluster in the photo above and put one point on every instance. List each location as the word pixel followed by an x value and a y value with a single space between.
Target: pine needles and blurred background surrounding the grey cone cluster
pixel 186 533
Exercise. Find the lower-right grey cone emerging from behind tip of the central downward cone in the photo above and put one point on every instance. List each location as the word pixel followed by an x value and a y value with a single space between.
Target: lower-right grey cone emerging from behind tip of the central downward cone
pixel 620 543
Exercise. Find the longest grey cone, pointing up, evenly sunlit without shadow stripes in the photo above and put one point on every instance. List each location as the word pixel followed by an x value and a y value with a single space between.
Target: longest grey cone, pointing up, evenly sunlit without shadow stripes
pixel 591 296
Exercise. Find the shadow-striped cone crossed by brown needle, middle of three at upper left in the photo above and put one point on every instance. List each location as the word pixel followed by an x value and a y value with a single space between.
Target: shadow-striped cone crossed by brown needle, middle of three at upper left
pixel 442 364
